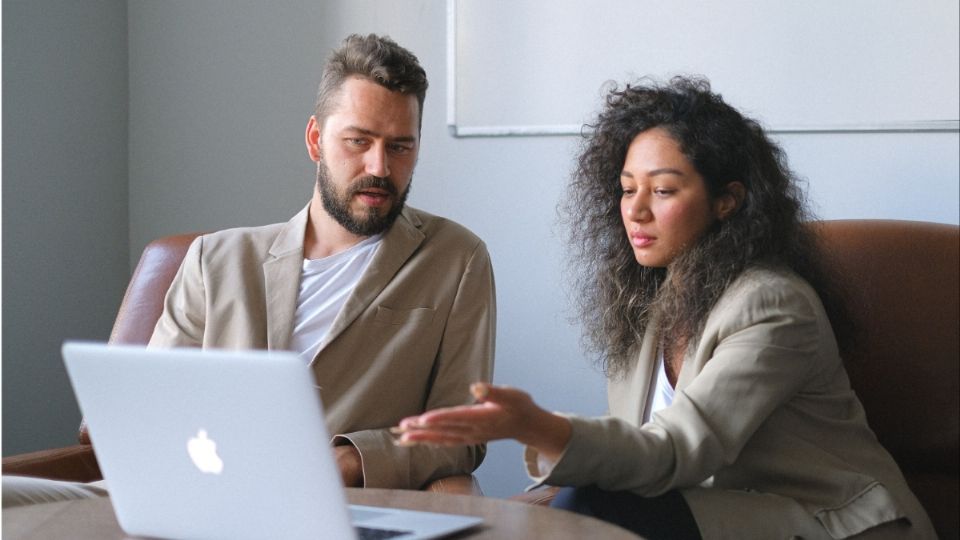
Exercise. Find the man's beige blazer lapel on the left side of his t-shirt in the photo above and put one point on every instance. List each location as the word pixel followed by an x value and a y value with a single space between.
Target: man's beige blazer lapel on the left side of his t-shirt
pixel 281 277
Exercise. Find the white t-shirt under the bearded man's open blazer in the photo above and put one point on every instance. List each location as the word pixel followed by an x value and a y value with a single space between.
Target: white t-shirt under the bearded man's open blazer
pixel 325 285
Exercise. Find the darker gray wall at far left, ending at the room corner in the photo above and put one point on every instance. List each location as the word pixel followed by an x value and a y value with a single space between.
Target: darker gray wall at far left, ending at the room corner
pixel 65 226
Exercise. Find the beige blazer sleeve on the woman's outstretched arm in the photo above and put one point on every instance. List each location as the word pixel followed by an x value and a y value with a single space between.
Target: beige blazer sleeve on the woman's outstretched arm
pixel 760 349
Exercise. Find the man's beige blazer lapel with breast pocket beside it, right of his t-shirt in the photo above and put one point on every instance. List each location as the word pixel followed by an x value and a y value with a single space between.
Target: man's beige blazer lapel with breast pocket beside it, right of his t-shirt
pixel 399 243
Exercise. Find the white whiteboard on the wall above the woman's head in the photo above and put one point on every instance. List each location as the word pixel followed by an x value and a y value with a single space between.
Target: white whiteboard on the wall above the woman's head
pixel 539 67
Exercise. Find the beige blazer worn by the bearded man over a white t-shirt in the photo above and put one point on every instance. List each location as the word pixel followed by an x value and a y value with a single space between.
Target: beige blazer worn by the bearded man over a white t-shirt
pixel 413 335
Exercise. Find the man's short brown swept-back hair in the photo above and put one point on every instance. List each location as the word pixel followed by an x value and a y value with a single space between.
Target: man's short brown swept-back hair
pixel 376 58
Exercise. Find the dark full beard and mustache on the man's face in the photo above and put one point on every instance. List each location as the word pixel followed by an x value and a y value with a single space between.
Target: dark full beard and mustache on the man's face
pixel 338 204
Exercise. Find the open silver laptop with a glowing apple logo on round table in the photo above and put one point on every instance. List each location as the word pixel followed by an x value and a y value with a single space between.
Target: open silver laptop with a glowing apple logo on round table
pixel 223 444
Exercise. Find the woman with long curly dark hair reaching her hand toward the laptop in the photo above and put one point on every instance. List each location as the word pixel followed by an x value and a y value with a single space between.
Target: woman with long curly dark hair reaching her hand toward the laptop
pixel 731 414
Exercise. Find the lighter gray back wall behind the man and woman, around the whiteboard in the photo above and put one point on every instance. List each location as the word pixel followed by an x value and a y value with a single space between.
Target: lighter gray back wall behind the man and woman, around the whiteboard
pixel 219 95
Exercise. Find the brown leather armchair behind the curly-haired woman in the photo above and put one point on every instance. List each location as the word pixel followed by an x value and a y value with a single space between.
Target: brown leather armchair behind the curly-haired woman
pixel 902 281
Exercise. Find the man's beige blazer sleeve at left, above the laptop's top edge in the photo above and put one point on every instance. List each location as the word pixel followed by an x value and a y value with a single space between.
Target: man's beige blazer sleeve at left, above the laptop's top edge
pixel 183 319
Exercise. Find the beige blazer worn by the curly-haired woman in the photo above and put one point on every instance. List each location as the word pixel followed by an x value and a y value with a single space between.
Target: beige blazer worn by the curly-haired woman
pixel 765 437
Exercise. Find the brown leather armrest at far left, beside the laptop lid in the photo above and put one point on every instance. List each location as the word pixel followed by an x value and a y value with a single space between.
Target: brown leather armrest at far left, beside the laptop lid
pixel 75 463
